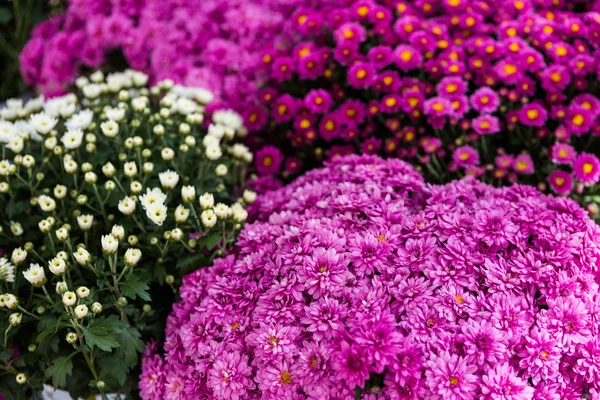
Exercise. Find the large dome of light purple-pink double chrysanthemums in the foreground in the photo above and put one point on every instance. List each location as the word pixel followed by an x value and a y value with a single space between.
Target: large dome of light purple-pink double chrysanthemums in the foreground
pixel 359 281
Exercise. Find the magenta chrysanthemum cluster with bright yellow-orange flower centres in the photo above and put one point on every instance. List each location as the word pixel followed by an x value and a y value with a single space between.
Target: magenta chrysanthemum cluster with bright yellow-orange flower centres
pixel 503 90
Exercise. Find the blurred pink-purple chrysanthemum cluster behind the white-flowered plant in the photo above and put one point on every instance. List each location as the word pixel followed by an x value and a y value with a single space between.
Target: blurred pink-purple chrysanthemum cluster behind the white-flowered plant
pixel 207 43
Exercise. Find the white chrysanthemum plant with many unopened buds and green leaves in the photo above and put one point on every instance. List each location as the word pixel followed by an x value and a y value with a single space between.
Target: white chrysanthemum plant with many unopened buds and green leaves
pixel 107 197
